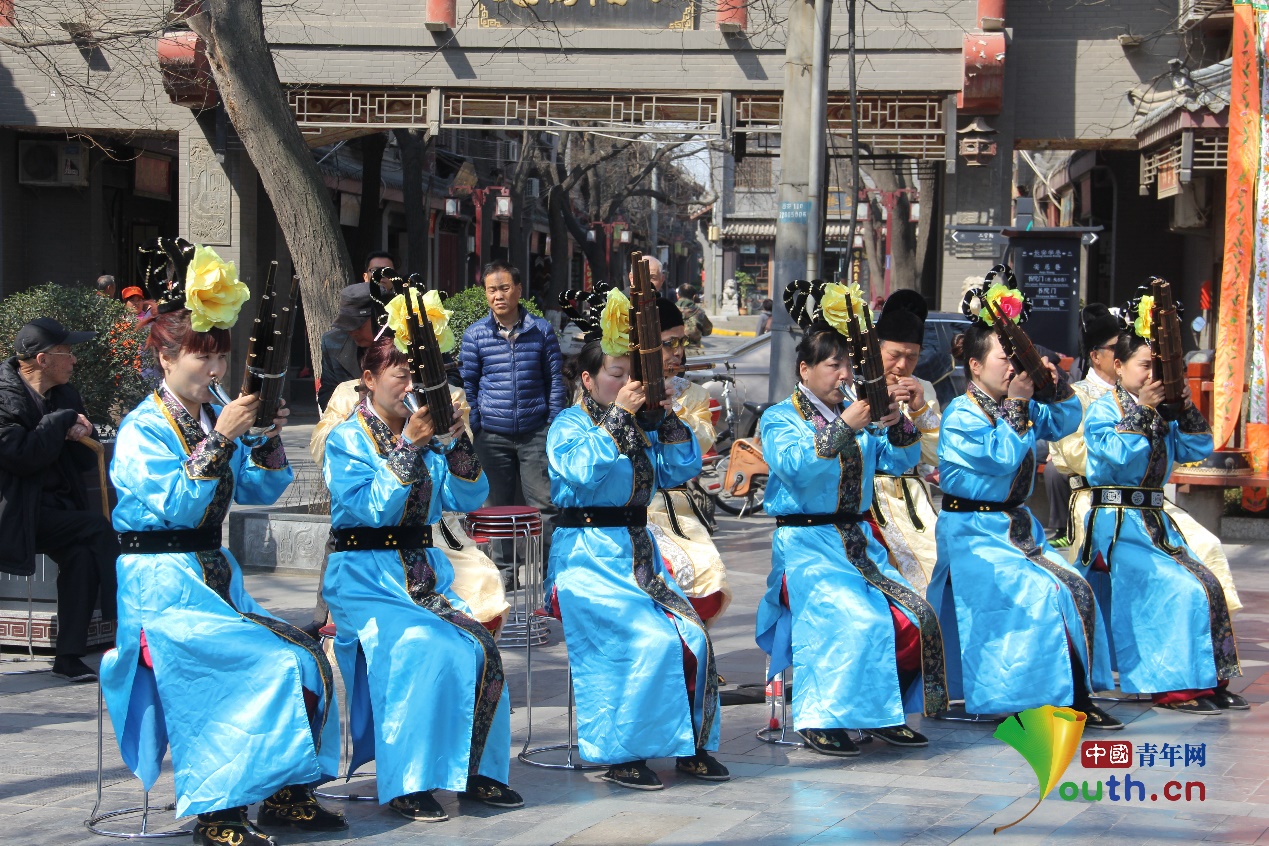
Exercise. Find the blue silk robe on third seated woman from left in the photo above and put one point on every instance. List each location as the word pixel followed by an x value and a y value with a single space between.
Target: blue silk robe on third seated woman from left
pixel 625 618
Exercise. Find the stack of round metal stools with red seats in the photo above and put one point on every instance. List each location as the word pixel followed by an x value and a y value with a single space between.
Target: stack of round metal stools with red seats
pixel 522 527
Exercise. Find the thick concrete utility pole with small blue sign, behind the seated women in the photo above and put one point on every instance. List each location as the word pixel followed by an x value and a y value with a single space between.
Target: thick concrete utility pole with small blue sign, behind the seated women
pixel 792 206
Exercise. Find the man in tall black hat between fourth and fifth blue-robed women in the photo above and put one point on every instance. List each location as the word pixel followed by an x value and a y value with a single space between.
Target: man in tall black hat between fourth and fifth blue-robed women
pixel 902 504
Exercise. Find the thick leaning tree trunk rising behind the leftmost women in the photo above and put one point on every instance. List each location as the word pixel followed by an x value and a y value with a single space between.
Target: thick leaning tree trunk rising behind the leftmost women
pixel 248 82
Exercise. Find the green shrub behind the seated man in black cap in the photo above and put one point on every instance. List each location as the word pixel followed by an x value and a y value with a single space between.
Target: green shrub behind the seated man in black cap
pixel 108 367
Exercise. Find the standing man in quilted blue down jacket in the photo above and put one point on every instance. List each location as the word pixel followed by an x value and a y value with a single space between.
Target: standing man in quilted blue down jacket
pixel 513 376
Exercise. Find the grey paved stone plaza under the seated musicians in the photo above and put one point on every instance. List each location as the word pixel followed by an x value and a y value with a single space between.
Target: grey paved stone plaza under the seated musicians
pixel 957 791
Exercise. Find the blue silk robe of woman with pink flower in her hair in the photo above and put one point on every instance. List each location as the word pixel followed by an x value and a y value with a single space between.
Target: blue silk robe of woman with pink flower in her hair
pixel 1007 601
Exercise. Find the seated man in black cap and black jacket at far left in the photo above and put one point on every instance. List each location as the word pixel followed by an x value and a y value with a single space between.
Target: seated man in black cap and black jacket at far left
pixel 44 503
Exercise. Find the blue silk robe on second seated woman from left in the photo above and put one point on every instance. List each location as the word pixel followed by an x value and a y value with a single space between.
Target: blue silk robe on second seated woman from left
pixel 426 688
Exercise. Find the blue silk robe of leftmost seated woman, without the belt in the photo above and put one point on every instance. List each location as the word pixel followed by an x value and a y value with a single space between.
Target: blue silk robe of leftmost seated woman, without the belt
pixel 229 679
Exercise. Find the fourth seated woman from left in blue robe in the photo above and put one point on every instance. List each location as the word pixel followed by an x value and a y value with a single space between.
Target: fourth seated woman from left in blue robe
pixel 865 648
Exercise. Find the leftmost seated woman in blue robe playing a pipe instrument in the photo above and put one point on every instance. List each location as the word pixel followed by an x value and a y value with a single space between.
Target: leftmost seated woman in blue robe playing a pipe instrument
pixel 244 700
